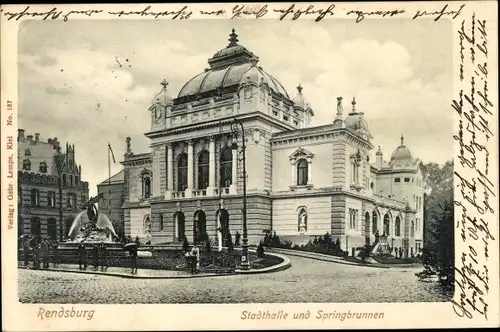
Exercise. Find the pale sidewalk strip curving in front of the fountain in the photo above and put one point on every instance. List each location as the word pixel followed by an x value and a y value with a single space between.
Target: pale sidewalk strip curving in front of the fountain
pixel 127 272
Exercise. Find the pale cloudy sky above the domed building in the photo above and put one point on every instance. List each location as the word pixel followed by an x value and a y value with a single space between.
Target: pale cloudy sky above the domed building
pixel 71 84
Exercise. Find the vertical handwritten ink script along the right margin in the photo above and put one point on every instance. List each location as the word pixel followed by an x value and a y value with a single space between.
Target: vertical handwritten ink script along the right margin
pixel 477 191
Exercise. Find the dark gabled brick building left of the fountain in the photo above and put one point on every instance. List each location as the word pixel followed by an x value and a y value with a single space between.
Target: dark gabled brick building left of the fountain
pixel 50 187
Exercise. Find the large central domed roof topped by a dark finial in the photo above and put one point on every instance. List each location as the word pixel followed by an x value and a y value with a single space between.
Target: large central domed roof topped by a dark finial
pixel 230 66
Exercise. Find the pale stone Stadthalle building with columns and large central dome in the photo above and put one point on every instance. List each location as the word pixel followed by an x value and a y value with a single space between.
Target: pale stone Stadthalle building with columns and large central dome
pixel 302 181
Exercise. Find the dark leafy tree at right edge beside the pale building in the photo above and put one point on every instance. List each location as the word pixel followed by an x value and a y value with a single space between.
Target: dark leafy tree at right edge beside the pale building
pixel 438 253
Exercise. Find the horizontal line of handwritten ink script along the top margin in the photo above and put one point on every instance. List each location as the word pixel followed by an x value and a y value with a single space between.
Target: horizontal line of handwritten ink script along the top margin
pixel 292 12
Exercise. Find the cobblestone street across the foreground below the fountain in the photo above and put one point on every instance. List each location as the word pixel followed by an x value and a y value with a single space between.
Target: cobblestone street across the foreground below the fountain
pixel 306 281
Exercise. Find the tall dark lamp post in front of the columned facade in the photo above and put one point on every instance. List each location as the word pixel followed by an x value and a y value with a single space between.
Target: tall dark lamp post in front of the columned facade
pixel 238 130
